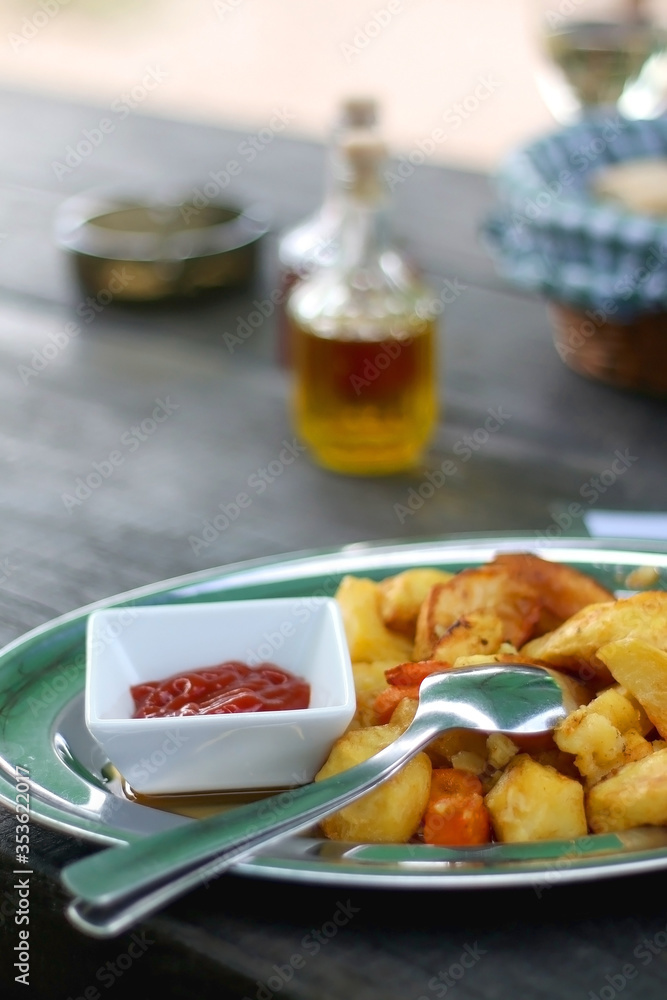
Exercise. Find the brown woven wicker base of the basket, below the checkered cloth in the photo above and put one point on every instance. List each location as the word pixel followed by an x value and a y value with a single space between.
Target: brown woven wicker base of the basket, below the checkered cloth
pixel 629 357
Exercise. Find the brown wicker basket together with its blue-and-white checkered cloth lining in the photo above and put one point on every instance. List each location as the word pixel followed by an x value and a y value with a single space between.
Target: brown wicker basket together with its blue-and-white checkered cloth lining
pixel 601 268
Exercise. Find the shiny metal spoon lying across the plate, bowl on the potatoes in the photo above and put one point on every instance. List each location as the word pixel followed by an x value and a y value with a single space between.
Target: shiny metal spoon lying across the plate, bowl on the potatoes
pixel 118 887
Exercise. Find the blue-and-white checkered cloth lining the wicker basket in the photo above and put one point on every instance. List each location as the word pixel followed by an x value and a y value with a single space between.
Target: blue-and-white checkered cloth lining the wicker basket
pixel 549 235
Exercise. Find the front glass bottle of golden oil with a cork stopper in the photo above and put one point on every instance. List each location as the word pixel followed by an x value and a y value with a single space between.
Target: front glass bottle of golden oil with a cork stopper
pixel 363 330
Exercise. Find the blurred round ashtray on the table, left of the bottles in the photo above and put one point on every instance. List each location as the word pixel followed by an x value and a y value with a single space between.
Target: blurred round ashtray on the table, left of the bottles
pixel 137 250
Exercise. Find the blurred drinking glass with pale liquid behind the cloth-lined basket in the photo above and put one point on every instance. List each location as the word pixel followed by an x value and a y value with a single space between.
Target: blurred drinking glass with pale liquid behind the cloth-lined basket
pixel 602 53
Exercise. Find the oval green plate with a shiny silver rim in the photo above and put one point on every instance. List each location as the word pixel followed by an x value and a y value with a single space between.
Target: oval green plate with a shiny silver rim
pixel 43 735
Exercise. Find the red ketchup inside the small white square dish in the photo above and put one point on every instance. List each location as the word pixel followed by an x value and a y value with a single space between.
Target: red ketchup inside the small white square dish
pixel 229 687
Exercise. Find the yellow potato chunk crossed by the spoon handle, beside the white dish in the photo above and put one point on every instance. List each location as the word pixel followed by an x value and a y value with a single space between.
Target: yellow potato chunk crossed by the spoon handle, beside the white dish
pixel 392 812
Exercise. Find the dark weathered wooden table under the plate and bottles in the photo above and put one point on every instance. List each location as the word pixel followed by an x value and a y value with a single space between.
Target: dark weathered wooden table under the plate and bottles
pixel 227 419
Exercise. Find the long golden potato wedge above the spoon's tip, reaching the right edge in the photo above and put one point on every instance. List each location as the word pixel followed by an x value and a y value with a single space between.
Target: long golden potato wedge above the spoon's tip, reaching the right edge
pixel 574 645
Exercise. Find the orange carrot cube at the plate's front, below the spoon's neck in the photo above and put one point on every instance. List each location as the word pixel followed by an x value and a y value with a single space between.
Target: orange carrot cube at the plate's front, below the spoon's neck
pixel 456 814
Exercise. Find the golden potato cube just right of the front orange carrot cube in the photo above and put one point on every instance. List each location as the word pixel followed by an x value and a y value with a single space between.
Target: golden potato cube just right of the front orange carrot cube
pixel 533 801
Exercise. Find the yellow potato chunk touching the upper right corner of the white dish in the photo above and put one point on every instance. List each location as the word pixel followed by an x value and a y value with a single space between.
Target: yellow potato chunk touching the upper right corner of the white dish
pixel 367 636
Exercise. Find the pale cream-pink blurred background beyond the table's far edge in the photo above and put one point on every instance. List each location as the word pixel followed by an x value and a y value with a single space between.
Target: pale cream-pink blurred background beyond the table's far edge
pixel 460 72
